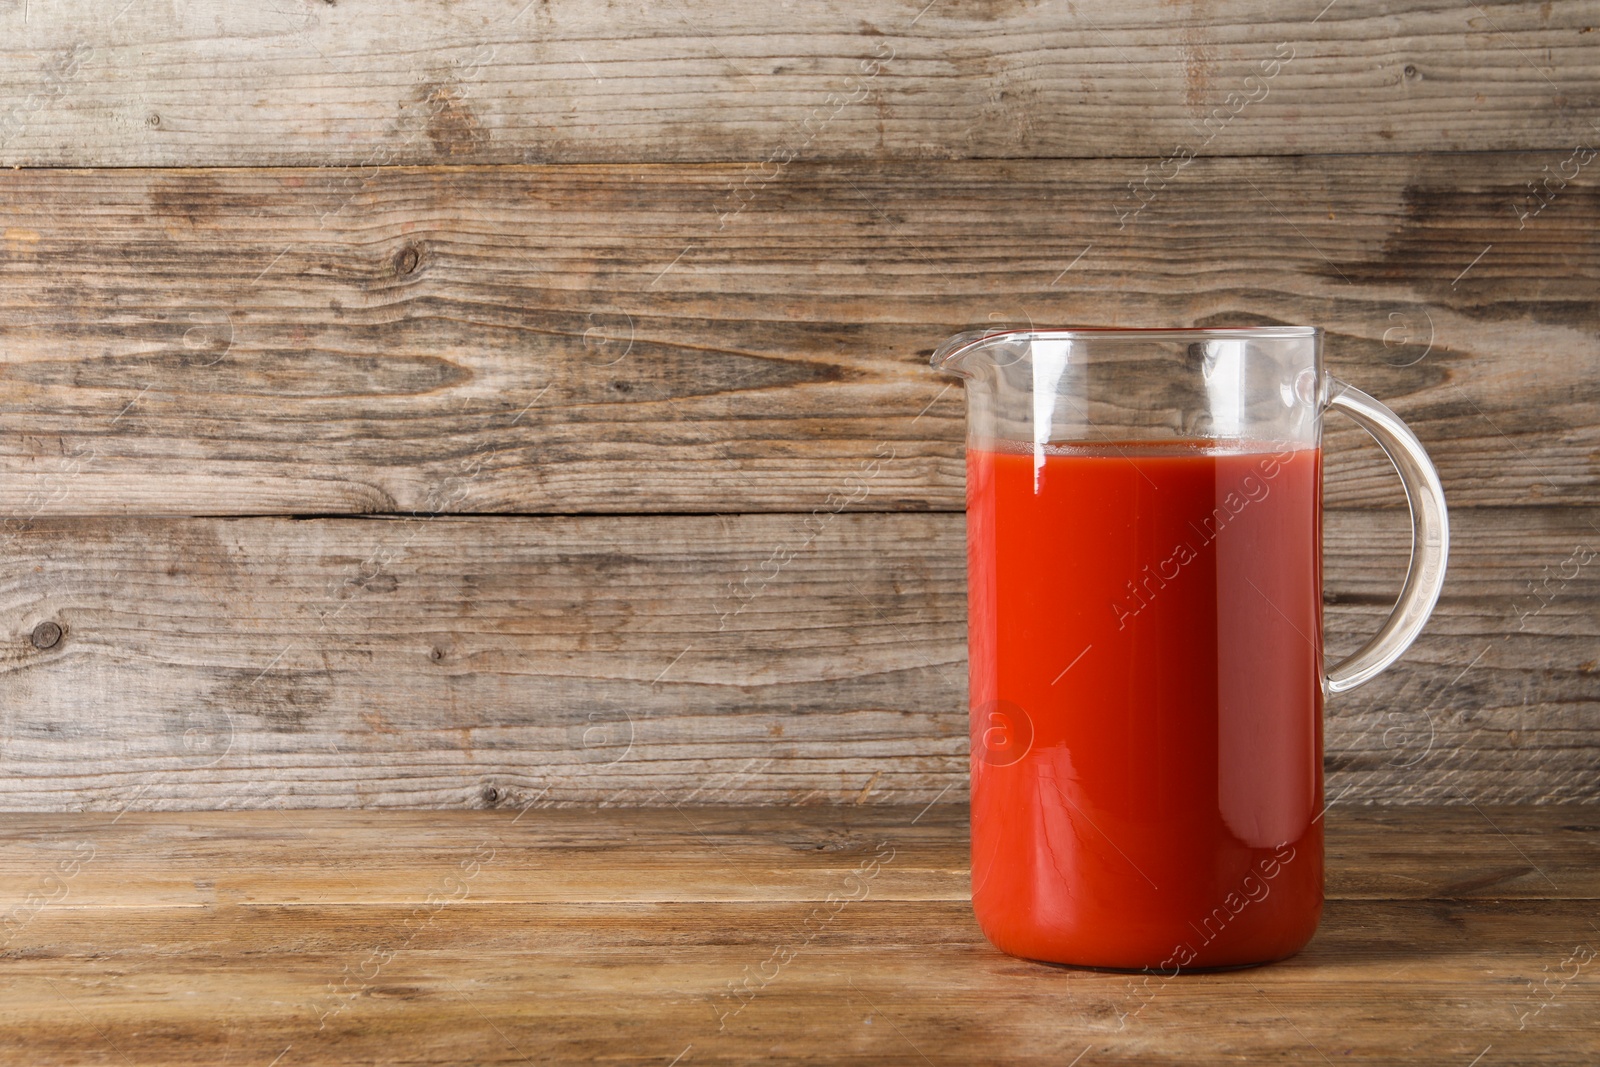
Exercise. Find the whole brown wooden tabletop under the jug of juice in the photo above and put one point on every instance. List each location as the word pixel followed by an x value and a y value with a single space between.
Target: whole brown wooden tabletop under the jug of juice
pixel 686 937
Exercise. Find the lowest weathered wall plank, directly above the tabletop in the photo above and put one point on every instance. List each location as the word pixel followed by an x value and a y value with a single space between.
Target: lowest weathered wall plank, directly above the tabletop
pixel 260 663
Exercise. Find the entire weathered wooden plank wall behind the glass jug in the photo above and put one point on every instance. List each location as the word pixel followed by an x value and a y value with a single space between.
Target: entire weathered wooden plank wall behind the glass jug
pixel 410 406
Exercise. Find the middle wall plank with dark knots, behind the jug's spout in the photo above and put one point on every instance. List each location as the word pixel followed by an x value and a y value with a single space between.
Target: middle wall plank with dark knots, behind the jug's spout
pixel 612 340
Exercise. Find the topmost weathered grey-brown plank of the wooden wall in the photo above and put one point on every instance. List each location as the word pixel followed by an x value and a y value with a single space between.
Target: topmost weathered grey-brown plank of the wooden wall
pixel 503 82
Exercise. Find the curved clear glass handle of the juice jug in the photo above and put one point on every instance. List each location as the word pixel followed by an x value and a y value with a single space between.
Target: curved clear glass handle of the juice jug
pixel 1430 538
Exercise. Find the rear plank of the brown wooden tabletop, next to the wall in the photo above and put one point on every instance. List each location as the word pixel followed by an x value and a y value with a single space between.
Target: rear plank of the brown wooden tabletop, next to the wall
pixel 710 855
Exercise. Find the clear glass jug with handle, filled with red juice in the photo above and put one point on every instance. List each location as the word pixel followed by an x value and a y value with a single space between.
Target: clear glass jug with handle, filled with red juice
pixel 1145 636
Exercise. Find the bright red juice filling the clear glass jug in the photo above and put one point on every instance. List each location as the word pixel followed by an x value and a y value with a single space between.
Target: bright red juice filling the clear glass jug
pixel 1146 689
